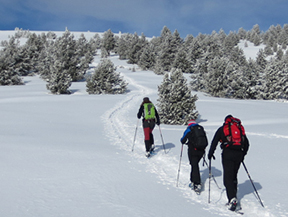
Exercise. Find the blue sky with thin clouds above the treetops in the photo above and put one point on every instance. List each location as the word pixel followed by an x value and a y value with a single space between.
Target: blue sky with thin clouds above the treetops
pixel 142 16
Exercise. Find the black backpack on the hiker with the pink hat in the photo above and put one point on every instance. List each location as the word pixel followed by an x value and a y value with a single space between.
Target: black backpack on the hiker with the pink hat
pixel 200 140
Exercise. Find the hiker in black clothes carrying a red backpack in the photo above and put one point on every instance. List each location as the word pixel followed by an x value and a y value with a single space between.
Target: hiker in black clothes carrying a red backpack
pixel 234 145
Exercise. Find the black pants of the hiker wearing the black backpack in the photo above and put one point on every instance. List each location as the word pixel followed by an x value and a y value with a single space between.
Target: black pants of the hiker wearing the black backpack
pixel 194 158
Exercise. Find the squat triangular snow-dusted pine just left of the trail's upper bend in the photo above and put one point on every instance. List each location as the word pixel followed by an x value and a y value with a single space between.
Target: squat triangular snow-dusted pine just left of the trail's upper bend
pixel 106 80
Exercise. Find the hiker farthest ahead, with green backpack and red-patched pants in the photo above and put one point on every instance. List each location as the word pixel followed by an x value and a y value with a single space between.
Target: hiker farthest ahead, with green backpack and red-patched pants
pixel 150 116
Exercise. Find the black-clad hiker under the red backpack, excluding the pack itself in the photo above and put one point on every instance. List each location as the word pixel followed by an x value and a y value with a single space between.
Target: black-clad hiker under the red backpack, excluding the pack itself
pixel 231 161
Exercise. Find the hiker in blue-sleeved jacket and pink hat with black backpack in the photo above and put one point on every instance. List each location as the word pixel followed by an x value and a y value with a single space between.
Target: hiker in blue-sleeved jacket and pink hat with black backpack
pixel 195 137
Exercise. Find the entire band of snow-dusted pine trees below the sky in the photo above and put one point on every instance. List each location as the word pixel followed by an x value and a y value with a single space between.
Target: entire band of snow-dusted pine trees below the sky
pixel 214 62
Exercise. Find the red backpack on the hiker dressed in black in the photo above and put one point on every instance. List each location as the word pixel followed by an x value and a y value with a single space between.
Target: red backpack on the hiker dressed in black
pixel 234 132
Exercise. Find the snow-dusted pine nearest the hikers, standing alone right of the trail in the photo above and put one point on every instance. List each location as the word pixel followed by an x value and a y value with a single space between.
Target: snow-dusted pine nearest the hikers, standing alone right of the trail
pixel 176 103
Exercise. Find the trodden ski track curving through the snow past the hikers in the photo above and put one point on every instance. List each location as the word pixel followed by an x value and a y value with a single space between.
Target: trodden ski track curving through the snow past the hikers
pixel 121 131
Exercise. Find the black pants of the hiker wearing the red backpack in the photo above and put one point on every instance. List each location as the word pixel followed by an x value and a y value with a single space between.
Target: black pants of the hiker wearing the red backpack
pixel 231 161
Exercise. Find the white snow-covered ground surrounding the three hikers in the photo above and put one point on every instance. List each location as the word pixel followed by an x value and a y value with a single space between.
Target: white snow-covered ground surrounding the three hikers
pixel 71 155
